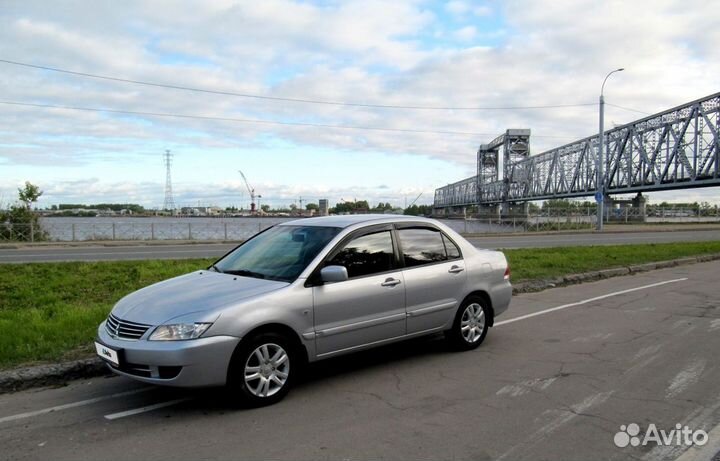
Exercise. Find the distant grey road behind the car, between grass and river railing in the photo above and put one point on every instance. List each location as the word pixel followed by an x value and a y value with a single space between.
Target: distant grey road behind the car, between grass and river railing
pixel 211 250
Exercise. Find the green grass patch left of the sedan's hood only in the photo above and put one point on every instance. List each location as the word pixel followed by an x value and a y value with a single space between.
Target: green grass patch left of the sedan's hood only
pixel 50 311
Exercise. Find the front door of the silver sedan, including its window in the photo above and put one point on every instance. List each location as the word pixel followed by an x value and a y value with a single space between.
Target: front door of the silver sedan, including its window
pixel 369 307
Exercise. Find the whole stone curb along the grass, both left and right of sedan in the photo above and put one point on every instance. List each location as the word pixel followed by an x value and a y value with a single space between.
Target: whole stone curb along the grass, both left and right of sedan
pixel 58 374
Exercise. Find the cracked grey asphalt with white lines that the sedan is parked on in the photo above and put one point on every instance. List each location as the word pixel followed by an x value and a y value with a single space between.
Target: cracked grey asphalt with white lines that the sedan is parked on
pixel 557 378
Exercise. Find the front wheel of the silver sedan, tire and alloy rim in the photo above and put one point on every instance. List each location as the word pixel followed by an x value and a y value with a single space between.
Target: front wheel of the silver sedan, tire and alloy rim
pixel 262 370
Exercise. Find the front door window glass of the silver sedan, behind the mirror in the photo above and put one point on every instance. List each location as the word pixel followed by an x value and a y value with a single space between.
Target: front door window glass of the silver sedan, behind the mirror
pixel 366 255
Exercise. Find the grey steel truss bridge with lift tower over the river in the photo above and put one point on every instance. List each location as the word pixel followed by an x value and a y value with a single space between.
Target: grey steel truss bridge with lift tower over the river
pixel 675 149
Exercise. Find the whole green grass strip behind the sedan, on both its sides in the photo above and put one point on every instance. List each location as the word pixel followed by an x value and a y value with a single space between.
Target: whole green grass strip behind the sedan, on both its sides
pixel 50 311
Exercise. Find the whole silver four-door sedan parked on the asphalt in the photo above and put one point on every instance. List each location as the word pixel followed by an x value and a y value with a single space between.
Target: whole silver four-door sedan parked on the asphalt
pixel 303 291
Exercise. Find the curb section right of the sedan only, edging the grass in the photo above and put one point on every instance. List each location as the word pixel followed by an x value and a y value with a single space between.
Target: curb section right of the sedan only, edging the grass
pixel 532 286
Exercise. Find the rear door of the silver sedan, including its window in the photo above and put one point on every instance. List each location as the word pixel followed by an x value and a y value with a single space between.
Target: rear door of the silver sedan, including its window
pixel 435 276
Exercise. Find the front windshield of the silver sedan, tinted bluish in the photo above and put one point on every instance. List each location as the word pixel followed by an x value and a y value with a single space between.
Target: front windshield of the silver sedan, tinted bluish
pixel 279 253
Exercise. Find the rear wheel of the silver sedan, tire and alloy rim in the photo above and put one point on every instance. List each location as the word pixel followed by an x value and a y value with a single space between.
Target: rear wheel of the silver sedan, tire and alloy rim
pixel 470 325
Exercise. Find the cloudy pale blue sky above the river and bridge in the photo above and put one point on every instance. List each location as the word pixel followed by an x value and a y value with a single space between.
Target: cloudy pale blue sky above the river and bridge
pixel 456 56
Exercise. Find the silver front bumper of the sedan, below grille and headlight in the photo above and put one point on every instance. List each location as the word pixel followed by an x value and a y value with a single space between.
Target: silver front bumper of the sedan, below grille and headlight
pixel 198 362
